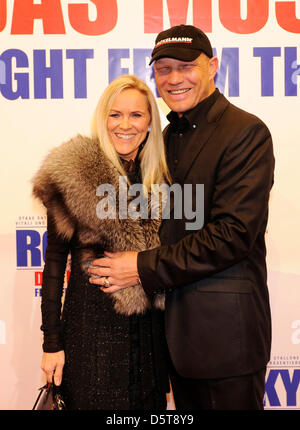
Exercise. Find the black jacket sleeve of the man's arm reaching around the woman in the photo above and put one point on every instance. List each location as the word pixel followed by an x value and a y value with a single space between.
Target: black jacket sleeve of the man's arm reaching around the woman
pixel 238 215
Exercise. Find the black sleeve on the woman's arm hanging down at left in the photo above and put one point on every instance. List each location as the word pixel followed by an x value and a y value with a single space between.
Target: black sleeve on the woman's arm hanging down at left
pixel 52 287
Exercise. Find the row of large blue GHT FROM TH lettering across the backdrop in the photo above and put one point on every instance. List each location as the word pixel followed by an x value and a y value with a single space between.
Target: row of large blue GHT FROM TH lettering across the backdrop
pixel 15 84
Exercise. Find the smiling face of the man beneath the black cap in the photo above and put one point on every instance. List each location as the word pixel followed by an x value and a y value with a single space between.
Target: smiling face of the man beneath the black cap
pixel 184 84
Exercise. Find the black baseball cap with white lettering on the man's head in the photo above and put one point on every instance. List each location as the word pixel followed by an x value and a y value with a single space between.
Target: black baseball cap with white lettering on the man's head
pixel 183 42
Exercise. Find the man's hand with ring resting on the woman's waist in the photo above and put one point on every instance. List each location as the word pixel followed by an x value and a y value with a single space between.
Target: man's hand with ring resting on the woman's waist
pixel 117 272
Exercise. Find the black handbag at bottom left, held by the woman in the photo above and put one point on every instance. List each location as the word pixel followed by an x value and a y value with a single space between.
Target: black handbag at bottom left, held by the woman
pixel 49 399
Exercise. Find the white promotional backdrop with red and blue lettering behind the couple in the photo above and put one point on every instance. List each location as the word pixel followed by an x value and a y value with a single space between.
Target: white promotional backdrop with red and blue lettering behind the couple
pixel 56 58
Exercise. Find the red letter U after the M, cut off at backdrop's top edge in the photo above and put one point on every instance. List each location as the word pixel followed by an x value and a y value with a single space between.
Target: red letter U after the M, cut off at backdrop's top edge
pixel 257 15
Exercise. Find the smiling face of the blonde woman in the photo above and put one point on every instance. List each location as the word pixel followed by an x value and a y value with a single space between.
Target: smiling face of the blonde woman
pixel 128 122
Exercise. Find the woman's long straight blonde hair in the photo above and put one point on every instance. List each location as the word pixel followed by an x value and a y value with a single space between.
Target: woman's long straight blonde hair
pixel 153 160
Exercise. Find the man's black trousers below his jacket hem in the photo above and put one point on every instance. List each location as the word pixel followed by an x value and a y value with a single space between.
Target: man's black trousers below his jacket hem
pixel 236 393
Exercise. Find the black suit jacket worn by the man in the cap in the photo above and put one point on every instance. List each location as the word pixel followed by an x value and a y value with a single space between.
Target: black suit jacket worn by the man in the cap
pixel 217 317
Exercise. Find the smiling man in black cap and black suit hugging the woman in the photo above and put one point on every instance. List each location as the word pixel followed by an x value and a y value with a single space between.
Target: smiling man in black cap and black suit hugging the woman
pixel 217 316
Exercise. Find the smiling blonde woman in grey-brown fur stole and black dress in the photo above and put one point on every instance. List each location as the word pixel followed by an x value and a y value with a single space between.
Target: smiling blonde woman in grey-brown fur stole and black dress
pixel 107 348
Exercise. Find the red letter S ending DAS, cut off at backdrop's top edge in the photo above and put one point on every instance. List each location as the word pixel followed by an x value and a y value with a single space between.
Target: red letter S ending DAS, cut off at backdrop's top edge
pixel 107 16
